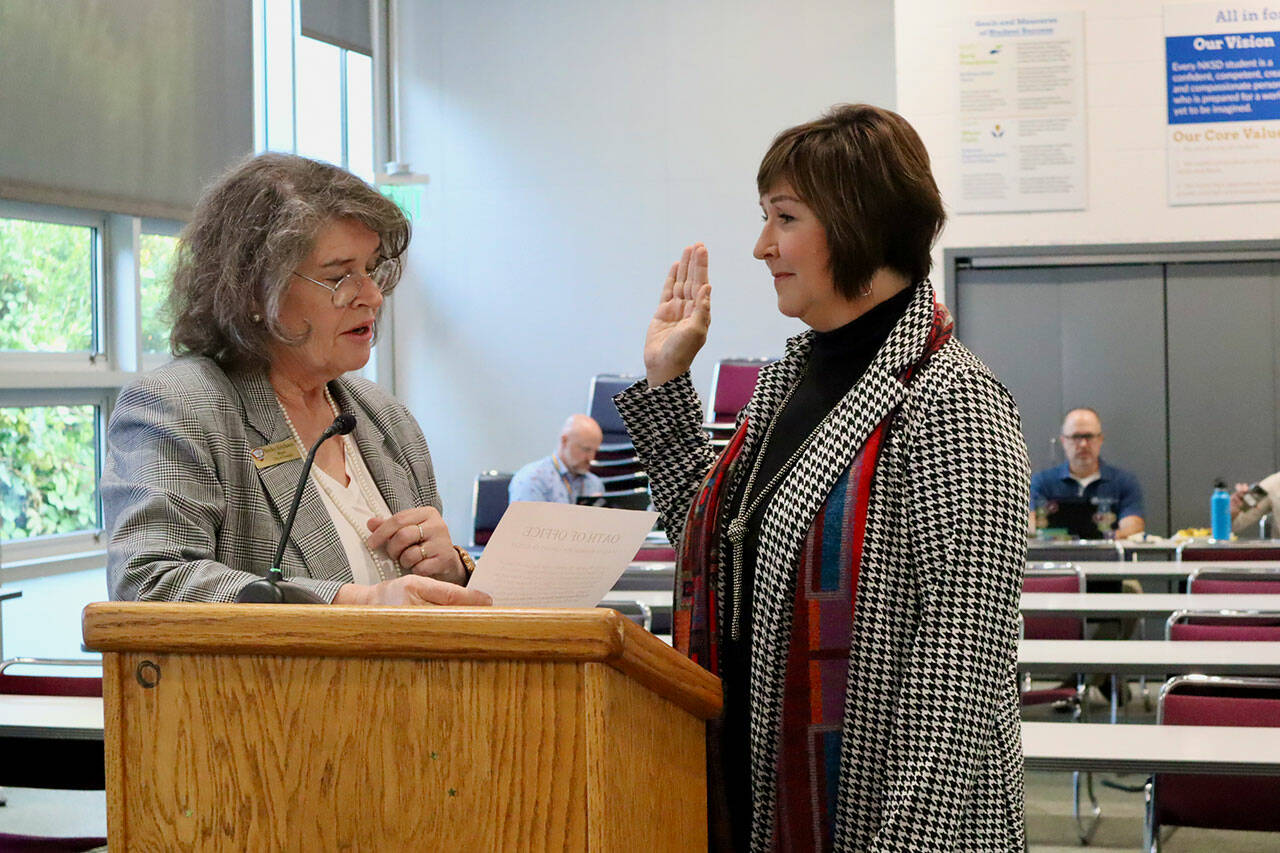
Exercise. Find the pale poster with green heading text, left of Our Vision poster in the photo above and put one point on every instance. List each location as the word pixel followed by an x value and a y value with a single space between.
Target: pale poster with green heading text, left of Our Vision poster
pixel 1022 113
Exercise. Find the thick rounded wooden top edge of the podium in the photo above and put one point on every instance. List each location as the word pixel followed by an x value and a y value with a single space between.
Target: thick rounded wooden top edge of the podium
pixel 592 635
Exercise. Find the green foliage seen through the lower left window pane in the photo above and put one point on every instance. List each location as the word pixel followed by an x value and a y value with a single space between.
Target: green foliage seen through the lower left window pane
pixel 48 471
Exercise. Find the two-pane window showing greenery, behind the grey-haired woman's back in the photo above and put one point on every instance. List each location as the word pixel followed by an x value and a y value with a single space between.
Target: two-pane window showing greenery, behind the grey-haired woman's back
pixel 81 313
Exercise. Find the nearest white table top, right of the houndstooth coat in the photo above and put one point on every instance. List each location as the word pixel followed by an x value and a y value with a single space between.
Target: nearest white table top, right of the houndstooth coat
pixel 1149 749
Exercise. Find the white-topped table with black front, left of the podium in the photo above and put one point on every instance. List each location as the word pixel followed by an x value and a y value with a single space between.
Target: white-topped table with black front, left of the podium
pixel 52 742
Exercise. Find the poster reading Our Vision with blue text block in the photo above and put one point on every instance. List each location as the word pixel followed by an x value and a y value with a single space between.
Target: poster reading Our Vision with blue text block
pixel 1223 75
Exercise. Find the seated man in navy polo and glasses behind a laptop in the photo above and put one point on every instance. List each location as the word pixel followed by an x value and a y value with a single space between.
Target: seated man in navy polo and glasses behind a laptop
pixel 1085 475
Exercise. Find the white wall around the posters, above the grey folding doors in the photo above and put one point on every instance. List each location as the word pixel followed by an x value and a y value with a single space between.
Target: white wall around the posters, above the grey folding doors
pixel 1124 56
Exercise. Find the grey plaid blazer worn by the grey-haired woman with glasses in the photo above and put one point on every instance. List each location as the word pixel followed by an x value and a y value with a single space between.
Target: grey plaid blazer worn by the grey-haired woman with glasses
pixel 191 518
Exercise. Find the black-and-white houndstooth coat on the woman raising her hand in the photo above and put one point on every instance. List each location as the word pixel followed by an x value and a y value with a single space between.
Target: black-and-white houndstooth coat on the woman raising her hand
pixel 932 750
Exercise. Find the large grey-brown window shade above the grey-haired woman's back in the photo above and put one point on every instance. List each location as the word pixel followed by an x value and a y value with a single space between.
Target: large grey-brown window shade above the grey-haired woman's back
pixel 131 106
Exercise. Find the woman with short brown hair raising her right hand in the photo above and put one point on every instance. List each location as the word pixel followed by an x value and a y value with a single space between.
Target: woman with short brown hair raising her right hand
pixel 851 564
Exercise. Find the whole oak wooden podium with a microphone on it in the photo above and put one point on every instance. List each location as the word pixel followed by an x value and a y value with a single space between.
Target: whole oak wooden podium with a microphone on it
pixel 278 727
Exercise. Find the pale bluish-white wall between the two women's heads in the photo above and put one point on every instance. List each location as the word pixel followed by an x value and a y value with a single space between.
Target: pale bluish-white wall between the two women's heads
pixel 575 148
